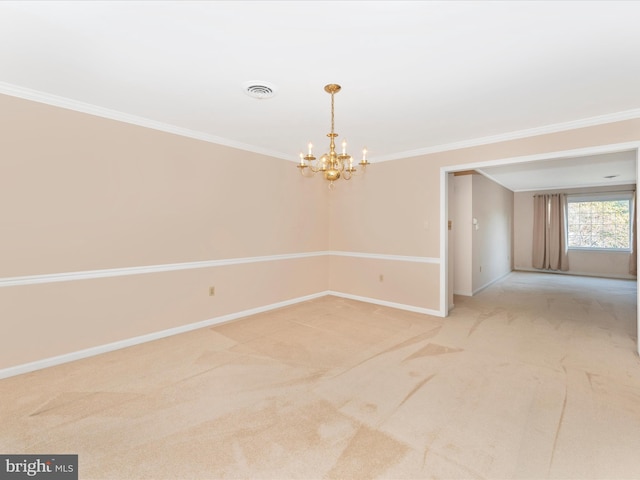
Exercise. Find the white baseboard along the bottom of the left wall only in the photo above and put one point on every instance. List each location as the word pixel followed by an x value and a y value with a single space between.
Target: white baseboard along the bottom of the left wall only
pixel 110 347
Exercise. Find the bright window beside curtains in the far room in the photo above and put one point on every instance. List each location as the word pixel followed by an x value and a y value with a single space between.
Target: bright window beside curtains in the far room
pixel 599 222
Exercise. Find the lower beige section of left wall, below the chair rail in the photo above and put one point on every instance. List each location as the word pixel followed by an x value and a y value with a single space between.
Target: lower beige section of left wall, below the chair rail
pixel 46 320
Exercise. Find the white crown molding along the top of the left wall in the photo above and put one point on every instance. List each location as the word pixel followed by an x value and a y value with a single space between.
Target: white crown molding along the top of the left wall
pixel 77 106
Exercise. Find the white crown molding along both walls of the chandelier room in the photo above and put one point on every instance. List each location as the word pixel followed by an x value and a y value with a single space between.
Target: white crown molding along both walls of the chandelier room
pixel 70 104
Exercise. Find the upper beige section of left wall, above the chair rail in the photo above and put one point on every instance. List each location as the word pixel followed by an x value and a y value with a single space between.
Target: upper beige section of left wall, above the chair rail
pixel 81 192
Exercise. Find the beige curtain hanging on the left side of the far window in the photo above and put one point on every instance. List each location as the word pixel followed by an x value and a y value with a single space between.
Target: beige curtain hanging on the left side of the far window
pixel 549 232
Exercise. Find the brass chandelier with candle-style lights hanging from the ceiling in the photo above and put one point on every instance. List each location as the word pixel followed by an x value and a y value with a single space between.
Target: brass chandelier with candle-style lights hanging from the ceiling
pixel 332 164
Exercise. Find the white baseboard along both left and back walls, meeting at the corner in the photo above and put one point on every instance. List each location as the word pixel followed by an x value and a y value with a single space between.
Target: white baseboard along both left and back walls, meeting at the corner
pixel 129 342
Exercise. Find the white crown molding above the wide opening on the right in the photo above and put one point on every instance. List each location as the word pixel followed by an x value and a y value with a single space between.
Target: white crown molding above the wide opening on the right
pixel 505 137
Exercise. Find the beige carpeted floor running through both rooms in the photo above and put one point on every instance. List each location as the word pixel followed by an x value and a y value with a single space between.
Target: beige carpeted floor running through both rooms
pixel 536 377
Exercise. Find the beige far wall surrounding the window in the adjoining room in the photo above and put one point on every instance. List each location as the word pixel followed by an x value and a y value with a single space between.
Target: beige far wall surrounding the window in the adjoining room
pixel 599 263
